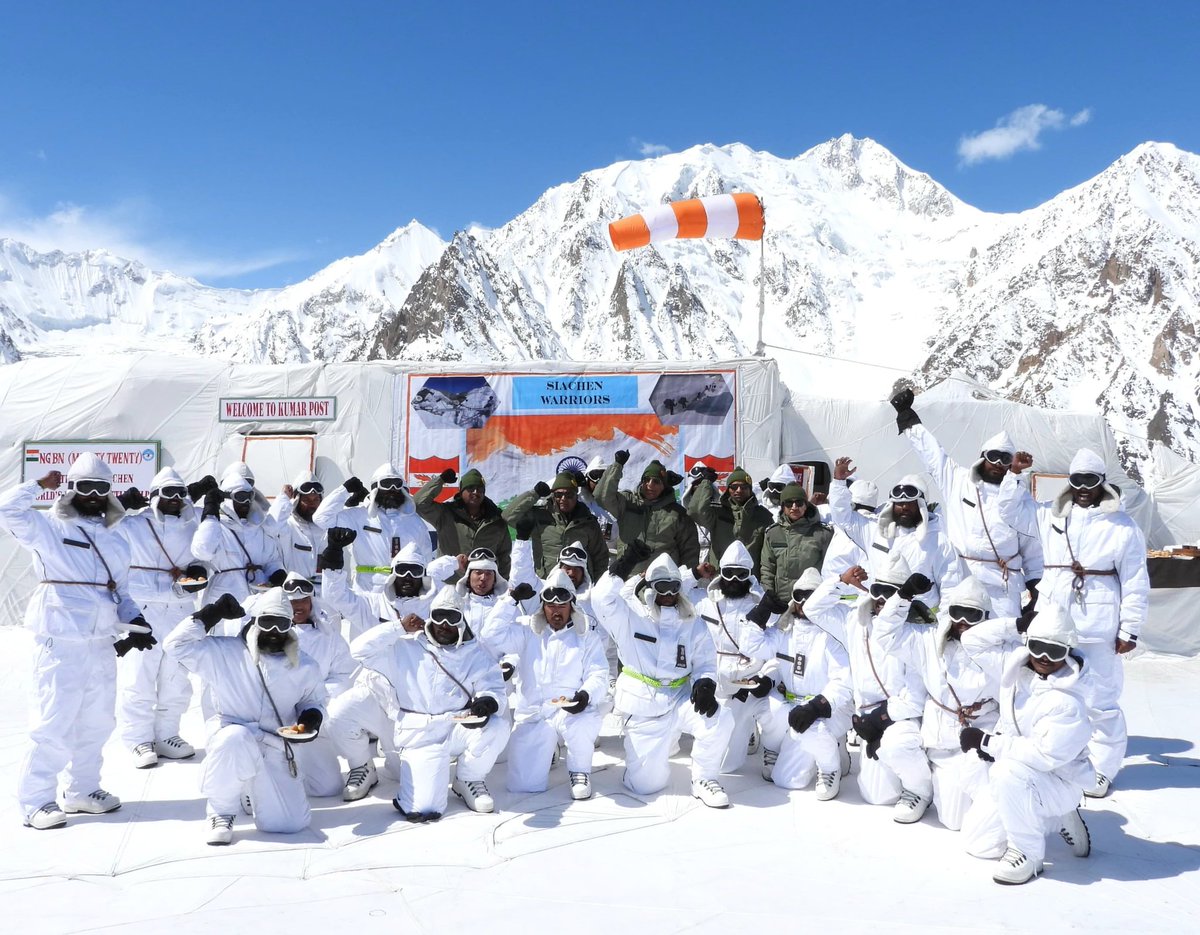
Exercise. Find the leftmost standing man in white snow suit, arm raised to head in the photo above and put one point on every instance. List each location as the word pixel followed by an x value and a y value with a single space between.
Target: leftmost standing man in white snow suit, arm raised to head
pixel 79 613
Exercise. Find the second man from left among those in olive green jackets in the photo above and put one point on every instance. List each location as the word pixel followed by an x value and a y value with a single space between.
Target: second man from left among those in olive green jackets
pixel 562 522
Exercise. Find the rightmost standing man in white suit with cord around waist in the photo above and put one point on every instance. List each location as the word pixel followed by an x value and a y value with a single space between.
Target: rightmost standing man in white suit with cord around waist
pixel 1096 570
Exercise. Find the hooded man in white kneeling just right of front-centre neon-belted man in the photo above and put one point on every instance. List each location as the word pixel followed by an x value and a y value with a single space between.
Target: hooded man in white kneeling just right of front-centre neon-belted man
pixel 743 682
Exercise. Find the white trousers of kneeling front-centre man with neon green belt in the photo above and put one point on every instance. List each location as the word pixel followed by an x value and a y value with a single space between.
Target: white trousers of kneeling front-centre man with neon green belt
pixel 649 744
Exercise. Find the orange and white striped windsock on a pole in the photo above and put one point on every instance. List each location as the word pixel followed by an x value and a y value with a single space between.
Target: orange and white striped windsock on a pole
pixel 739 217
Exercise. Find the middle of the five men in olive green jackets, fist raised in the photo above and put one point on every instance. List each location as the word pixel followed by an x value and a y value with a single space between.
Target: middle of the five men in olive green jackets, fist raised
pixel 651 514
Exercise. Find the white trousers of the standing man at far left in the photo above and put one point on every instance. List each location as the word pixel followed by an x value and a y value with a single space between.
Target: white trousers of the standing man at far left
pixel 71 718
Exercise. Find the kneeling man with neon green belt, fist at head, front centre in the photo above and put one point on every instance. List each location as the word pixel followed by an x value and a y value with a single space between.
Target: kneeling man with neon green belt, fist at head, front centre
pixel 668 685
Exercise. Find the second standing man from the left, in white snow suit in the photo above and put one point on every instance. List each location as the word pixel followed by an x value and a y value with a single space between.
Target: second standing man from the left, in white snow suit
pixel 164 580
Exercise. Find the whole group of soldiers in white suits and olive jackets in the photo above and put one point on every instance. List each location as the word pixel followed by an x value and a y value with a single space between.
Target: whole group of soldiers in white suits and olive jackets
pixel 969 652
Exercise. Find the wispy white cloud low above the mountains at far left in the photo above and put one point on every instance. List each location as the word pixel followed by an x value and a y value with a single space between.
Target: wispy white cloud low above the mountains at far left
pixel 127 231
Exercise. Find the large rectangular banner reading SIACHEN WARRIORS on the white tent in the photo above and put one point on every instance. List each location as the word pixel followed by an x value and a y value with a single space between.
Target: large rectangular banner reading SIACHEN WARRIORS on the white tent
pixel 518 429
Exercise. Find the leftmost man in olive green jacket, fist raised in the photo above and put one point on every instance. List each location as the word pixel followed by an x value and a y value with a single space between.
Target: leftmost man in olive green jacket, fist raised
pixel 466 522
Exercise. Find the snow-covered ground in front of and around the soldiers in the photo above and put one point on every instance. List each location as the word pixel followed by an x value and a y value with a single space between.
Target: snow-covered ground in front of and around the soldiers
pixel 663 864
